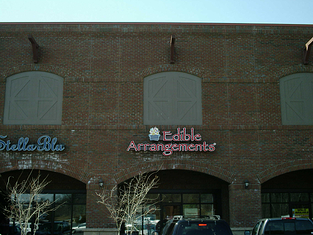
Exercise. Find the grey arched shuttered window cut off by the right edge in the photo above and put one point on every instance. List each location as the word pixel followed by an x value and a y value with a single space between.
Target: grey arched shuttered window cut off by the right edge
pixel 296 92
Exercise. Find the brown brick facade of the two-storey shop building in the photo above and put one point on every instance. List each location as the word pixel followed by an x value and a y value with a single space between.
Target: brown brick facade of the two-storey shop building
pixel 103 66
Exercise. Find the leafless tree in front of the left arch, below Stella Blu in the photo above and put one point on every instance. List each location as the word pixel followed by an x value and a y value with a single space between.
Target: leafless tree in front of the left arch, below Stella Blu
pixel 25 203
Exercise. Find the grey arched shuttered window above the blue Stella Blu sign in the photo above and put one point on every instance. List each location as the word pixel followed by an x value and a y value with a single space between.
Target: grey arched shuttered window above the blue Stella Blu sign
pixel 33 98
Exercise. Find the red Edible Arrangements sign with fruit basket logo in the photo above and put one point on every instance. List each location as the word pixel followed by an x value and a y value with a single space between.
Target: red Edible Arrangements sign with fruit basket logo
pixel 193 144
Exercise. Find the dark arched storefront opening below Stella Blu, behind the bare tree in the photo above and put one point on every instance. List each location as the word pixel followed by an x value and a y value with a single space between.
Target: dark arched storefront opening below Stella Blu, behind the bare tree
pixel 68 194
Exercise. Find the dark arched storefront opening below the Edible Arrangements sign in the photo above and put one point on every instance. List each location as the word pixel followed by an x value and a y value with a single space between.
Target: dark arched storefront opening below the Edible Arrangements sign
pixel 188 193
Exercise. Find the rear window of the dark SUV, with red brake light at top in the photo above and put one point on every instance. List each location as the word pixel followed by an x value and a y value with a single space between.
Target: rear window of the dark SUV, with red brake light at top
pixel 203 228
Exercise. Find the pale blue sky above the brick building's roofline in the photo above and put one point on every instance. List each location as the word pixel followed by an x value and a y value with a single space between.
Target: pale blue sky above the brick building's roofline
pixel 195 11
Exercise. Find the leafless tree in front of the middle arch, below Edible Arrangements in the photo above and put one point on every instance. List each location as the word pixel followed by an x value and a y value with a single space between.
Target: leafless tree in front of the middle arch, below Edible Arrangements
pixel 128 202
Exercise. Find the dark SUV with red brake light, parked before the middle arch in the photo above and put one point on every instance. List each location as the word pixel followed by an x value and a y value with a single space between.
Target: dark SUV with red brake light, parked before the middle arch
pixel 203 226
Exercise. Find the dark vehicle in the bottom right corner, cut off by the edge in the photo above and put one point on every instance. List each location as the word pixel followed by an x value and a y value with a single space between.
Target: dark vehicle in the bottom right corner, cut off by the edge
pixel 284 226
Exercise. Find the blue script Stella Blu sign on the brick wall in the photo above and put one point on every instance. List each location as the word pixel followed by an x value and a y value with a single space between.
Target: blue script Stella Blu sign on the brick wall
pixel 44 143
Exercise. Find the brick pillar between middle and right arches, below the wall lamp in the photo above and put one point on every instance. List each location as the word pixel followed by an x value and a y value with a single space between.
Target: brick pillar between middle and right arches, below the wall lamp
pixel 245 205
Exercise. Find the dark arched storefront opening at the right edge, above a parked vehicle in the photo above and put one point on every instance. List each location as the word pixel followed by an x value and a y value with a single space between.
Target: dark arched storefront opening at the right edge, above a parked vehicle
pixel 290 194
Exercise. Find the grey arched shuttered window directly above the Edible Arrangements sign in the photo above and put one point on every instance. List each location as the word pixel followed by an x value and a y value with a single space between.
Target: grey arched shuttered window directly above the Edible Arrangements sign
pixel 172 98
